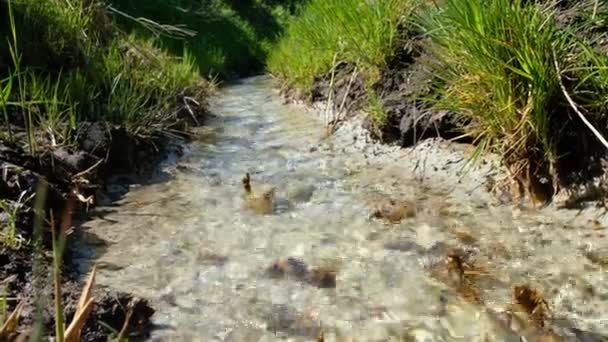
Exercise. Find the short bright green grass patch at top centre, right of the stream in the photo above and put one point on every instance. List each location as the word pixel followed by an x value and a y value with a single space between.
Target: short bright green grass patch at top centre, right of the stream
pixel 363 33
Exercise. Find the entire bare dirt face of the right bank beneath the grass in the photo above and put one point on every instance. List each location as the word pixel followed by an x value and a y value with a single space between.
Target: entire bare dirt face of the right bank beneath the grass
pixel 403 90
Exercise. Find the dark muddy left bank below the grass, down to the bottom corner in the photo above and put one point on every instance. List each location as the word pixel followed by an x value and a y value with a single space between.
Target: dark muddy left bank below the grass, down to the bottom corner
pixel 97 169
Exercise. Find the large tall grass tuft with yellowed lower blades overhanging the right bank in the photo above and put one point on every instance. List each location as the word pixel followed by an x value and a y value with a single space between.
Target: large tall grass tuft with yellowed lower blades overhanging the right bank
pixel 495 62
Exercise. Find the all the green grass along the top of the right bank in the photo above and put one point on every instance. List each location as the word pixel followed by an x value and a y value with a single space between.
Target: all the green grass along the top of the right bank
pixel 492 62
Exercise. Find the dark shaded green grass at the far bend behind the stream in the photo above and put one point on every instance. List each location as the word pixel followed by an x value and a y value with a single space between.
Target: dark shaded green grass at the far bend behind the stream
pixel 226 37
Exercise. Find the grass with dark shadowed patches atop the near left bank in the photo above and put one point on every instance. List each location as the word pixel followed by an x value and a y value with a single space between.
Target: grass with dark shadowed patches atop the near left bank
pixel 62 62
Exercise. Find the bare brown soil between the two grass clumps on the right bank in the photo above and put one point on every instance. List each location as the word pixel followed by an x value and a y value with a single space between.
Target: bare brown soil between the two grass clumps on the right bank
pixel 402 81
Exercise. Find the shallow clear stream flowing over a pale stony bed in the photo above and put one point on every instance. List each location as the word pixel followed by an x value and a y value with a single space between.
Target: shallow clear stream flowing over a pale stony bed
pixel 187 244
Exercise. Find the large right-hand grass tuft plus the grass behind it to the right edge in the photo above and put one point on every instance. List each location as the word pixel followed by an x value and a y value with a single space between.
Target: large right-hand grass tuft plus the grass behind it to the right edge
pixel 496 68
